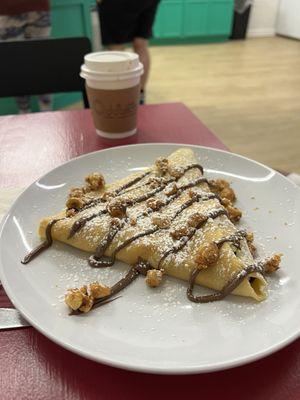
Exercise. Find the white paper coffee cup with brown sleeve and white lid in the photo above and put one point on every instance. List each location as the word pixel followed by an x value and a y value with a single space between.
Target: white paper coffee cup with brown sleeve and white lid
pixel 113 88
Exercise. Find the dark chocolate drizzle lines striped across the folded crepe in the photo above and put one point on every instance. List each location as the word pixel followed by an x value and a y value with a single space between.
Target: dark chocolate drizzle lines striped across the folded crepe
pixel 141 267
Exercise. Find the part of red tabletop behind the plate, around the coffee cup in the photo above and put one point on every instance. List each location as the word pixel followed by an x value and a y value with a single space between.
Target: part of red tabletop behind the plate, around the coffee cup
pixel 33 144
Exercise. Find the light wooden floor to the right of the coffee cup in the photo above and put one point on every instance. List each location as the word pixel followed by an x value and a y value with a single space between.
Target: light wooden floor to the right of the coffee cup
pixel 246 92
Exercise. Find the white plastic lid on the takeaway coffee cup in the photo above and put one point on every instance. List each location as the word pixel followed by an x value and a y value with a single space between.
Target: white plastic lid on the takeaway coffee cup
pixel 111 63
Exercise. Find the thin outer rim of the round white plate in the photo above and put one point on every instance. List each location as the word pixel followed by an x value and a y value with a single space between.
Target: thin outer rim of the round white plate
pixel 236 362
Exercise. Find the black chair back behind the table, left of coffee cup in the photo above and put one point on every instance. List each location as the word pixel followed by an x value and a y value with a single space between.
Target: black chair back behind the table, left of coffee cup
pixel 31 67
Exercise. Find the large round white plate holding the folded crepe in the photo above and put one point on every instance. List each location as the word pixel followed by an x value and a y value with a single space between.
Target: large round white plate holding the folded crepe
pixel 157 330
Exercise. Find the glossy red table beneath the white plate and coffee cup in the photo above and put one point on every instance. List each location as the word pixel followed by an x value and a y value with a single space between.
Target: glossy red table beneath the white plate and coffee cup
pixel 31 366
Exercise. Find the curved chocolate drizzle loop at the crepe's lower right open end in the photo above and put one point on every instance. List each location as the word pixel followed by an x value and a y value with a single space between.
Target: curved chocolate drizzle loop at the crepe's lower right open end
pixel 227 289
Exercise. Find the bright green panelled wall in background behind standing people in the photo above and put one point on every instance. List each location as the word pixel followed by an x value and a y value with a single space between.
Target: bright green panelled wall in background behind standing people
pixel 177 21
